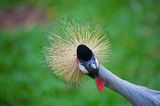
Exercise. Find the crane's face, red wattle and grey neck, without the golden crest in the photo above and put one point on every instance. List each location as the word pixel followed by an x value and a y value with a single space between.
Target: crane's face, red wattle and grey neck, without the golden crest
pixel 137 95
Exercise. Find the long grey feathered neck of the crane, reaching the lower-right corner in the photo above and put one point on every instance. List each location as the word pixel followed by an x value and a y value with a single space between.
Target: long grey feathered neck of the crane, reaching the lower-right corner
pixel 137 95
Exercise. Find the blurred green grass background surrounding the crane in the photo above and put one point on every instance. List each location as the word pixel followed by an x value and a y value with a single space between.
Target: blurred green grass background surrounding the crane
pixel 133 28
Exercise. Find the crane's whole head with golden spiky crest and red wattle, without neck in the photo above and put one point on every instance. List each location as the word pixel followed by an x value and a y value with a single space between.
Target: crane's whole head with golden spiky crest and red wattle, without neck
pixel 76 48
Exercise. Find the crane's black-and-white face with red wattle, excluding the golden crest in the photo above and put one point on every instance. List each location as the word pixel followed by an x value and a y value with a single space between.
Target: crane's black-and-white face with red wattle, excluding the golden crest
pixel 88 64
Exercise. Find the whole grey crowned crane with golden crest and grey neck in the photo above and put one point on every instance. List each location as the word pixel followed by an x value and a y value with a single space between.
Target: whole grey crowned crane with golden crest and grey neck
pixel 80 48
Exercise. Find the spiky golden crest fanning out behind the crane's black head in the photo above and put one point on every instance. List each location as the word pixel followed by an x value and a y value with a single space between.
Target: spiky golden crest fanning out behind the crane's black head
pixel 64 38
